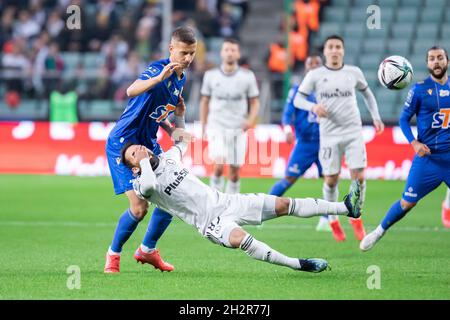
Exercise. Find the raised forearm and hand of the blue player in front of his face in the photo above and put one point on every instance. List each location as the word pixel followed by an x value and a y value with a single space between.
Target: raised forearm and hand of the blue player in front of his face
pixel 148 80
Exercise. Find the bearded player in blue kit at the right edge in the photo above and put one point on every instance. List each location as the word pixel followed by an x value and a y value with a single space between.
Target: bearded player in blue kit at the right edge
pixel 429 100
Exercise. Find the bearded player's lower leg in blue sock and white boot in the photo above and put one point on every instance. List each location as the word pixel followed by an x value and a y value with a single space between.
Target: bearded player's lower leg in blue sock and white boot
pixel 397 211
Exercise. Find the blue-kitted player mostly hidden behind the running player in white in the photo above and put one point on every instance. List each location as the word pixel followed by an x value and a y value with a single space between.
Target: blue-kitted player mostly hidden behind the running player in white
pixel 306 149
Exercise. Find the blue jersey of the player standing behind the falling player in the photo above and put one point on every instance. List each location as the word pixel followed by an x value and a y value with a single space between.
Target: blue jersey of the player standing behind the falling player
pixel 140 121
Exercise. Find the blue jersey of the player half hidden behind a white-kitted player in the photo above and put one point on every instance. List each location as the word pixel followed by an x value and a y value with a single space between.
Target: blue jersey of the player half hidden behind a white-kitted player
pixel 305 122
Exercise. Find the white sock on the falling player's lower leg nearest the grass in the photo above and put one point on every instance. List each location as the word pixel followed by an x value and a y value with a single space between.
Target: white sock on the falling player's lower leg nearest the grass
pixel 261 251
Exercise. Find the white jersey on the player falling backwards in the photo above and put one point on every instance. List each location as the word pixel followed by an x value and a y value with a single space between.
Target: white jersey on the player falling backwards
pixel 182 194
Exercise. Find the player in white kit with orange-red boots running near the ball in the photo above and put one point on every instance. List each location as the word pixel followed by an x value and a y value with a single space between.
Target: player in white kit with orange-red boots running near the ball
pixel 334 85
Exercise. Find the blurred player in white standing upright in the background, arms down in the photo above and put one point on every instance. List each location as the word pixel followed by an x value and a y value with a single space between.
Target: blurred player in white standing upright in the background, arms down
pixel 228 108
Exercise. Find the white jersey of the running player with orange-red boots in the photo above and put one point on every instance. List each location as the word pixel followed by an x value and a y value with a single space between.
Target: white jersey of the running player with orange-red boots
pixel 336 89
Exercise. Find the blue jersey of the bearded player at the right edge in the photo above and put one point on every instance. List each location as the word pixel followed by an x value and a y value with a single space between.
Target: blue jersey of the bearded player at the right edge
pixel 430 102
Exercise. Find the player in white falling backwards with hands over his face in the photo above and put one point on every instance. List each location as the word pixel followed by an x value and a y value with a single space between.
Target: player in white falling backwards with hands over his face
pixel 165 182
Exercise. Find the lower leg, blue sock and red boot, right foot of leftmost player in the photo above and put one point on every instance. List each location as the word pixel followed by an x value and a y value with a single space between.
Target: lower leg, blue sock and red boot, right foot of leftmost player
pixel 147 252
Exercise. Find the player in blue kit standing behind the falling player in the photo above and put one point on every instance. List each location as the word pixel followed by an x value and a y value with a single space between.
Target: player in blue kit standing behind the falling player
pixel 155 96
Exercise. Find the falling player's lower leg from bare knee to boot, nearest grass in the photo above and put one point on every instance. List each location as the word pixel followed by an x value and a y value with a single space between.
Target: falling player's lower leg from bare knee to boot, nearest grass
pixel 261 251
